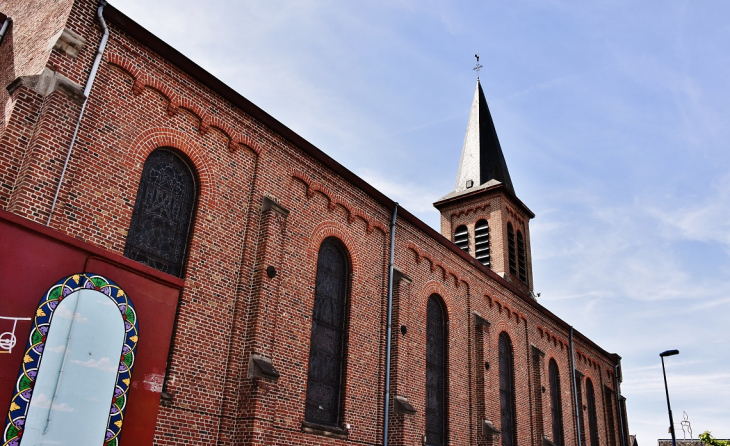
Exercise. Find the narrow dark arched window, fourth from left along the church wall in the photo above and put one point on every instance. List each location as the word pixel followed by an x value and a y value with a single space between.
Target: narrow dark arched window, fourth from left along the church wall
pixel 507 390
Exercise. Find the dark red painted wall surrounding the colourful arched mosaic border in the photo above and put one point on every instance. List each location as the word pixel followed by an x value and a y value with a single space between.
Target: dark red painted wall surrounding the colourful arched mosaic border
pixel 33 258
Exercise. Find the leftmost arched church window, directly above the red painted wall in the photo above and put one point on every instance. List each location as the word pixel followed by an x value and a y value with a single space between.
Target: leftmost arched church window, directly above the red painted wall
pixel 163 211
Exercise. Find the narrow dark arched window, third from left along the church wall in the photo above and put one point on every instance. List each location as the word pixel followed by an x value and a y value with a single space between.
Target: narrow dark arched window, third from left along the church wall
pixel 435 373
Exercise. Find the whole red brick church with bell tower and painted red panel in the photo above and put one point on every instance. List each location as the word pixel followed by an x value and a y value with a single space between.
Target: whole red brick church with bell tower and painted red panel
pixel 178 267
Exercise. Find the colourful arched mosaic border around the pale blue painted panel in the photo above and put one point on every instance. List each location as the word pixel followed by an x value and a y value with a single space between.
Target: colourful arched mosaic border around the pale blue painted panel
pixel 27 377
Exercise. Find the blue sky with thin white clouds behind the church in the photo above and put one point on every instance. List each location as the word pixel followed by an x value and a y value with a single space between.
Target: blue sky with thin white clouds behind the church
pixel 613 117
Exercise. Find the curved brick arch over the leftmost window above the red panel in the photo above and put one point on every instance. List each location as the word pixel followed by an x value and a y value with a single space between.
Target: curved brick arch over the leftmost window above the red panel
pixel 155 138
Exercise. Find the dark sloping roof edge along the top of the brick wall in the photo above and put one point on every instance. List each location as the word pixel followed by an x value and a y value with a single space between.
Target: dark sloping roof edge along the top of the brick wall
pixel 175 57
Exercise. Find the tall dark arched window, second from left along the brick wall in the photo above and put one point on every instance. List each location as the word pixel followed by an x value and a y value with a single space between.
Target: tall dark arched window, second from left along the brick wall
pixel 328 329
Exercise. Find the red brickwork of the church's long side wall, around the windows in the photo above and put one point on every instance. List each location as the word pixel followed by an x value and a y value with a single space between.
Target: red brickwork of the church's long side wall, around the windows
pixel 230 309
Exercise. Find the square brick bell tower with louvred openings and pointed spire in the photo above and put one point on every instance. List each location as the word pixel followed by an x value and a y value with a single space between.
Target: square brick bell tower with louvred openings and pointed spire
pixel 483 215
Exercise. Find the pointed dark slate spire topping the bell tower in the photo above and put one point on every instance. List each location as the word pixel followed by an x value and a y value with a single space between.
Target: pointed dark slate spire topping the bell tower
pixel 481 158
